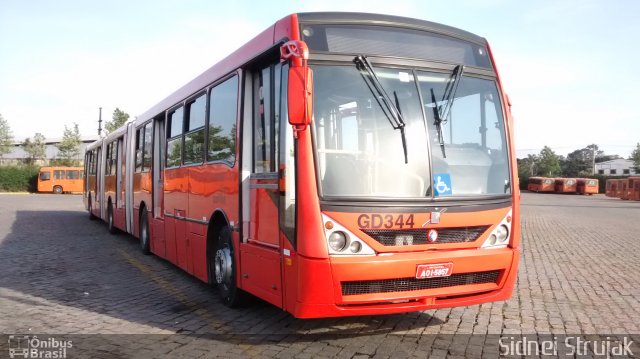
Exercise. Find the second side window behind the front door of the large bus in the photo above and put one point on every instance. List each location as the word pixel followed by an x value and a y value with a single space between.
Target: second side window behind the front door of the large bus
pixel 194 138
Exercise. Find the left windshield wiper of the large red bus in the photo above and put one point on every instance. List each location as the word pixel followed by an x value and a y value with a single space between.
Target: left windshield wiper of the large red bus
pixel 390 109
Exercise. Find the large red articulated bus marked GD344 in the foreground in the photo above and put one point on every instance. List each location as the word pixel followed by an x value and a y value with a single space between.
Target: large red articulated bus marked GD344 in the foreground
pixel 326 168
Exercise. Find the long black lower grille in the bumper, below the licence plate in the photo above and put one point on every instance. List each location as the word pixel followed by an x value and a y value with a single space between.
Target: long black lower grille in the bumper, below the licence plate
pixel 412 284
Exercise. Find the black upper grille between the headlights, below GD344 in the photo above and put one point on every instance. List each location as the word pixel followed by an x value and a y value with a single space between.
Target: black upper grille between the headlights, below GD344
pixel 404 237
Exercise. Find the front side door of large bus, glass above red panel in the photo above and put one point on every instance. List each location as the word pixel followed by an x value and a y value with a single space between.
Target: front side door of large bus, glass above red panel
pixel 261 257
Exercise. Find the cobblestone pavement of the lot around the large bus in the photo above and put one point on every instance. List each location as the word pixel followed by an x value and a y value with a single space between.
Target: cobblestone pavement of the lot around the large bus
pixel 61 274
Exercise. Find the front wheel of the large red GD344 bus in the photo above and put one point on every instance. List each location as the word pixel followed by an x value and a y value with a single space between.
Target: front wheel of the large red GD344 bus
pixel 224 270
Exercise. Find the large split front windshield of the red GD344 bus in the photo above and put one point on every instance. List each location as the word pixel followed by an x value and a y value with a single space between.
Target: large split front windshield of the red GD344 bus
pixel 359 154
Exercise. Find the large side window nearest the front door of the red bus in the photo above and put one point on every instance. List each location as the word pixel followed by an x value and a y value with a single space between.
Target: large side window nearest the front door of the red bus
pixel 222 121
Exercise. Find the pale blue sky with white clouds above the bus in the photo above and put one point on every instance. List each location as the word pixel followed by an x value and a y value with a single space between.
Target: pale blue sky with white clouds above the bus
pixel 567 66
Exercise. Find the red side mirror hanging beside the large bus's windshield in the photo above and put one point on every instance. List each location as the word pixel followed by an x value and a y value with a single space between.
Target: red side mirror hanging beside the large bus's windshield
pixel 299 90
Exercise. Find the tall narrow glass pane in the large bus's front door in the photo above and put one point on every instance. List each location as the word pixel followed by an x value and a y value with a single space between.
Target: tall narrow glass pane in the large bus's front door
pixel 262 122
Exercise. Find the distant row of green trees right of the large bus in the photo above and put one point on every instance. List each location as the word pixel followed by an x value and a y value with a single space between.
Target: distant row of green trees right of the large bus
pixel 579 163
